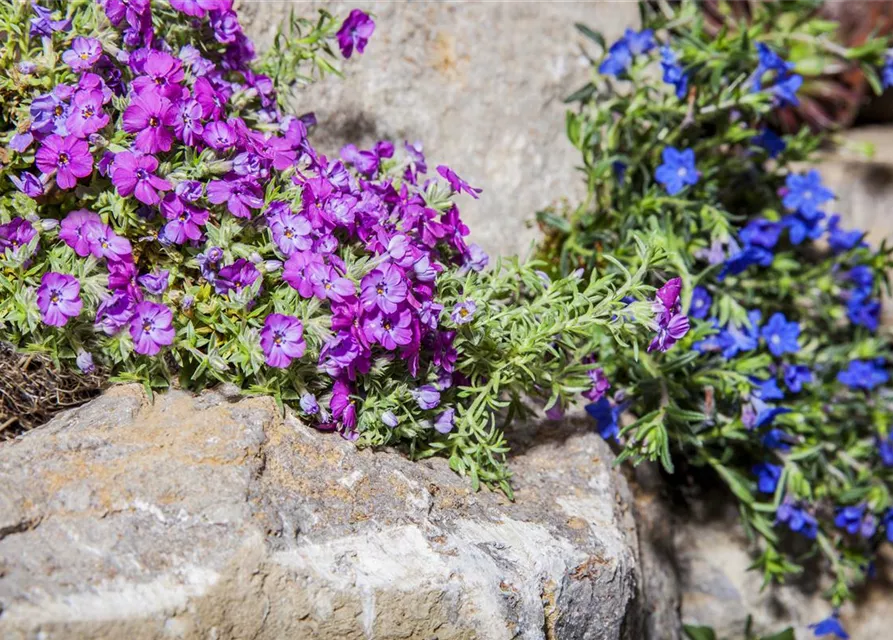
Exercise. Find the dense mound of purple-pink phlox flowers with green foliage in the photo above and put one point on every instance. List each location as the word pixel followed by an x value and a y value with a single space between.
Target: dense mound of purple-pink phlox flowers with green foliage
pixel 164 220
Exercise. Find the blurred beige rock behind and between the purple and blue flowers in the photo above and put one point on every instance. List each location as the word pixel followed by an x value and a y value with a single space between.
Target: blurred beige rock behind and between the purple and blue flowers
pixel 480 84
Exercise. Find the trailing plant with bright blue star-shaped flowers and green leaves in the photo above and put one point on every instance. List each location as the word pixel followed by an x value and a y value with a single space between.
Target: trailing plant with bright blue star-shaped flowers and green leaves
pixel 781 386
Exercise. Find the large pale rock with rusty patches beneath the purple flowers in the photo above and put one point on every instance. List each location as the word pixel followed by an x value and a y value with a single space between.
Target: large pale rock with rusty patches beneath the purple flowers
pixel 203 517
